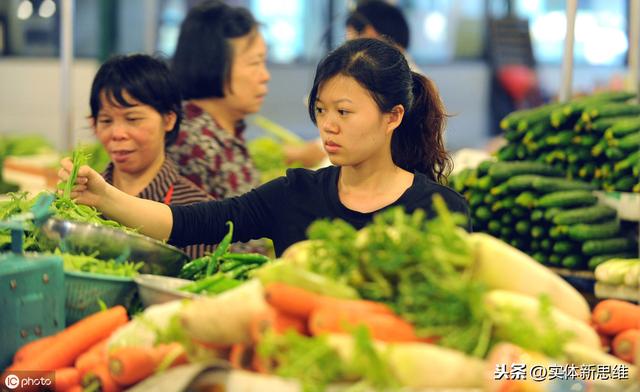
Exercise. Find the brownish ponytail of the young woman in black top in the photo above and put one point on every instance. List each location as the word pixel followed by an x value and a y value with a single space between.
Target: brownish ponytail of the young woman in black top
pixel 418 143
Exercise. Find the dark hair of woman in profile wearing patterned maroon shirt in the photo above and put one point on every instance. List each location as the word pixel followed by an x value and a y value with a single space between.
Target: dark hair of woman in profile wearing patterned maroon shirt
pixel 203 56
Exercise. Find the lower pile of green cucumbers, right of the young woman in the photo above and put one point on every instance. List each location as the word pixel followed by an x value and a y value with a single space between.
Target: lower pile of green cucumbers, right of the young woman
pixel 531 206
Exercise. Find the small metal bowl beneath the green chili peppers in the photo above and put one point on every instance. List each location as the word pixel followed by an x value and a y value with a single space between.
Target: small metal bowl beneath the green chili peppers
pixel 156 289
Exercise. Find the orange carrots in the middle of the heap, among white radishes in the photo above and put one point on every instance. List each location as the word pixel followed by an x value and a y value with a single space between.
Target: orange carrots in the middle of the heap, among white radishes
pixel 307 313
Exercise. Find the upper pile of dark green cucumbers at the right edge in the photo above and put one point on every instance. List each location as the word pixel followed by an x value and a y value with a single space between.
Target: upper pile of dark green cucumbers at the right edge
pixel 595 139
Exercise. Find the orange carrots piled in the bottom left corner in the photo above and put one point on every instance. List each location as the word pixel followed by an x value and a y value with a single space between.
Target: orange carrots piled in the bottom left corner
pixel 79 358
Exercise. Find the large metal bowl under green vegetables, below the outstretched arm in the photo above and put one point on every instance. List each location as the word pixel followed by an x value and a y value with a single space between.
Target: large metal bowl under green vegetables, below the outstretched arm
pixel 77 237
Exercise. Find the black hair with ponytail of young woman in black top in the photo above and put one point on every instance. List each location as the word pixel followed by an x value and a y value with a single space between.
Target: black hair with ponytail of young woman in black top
pixel 380 68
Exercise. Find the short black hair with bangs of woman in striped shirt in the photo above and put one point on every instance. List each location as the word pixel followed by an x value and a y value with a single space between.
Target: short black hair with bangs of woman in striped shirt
pixel 146 79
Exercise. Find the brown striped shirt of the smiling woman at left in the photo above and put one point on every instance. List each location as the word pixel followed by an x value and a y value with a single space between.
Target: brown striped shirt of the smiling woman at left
pixel 171 188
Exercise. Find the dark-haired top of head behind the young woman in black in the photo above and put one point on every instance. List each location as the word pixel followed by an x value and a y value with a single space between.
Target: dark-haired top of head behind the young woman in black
pixel 376 18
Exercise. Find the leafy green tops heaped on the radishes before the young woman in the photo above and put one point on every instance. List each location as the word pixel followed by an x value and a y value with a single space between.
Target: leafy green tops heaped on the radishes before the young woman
pixel 421 268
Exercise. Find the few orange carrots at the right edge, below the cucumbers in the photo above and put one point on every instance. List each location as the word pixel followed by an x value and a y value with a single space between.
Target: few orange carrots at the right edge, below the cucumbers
pixel 618 323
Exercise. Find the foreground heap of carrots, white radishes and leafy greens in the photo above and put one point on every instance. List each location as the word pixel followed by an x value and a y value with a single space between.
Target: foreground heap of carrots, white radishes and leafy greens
pixel 404 302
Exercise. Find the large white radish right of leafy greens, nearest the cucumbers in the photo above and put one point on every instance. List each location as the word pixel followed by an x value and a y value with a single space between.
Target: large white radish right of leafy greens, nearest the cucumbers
pixel 501 266
